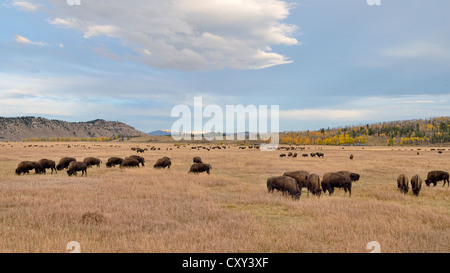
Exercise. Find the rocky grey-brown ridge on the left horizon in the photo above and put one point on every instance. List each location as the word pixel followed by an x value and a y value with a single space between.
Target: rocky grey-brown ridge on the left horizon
pixel 20 128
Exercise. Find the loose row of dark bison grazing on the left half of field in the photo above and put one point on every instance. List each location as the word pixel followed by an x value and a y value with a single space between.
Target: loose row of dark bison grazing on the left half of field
pixel 73 166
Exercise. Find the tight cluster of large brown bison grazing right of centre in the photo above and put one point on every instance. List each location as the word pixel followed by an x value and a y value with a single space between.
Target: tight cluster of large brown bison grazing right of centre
pixel 293 182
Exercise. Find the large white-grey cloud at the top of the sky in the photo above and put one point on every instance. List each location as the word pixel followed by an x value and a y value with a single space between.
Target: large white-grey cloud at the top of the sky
pixel 187 34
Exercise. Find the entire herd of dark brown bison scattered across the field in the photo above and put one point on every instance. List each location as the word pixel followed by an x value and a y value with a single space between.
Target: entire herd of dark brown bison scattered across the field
pixel 290 183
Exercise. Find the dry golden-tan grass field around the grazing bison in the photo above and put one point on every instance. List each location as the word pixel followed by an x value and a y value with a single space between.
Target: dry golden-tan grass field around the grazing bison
pixel 230 210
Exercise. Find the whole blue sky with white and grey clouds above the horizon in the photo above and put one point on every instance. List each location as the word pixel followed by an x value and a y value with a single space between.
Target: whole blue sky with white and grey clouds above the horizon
pixel 326 63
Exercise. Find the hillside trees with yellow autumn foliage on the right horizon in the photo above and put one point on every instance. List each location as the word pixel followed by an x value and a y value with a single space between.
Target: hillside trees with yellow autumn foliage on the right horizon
pixel 409 132
